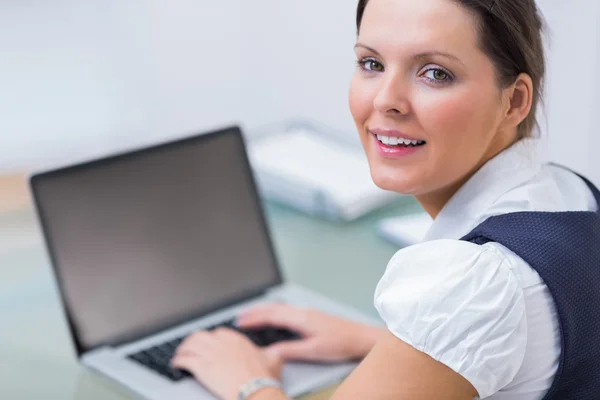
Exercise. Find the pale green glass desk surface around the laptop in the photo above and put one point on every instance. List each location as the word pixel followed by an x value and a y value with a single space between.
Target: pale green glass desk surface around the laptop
pixel 342 260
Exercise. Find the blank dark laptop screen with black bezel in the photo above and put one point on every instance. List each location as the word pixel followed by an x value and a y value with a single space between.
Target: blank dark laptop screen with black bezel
pixel 152 238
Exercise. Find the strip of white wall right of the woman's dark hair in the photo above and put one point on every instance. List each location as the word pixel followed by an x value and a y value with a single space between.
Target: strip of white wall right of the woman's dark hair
pixel 572 127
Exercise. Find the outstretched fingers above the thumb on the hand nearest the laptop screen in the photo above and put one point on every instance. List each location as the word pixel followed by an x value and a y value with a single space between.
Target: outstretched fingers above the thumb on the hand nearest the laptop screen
pixel 280 315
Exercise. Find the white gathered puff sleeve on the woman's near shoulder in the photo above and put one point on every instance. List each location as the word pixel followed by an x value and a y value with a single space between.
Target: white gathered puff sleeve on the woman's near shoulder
pixel 461 304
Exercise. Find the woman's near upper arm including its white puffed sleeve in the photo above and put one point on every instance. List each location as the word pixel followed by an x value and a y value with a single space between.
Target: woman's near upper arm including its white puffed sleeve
pixel 450 301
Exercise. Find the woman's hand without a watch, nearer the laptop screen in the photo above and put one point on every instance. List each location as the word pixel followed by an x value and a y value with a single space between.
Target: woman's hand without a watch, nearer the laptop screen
pixel 325 338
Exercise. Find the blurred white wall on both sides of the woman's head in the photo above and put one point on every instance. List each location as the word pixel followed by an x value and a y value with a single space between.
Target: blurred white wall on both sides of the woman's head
pixel 80 78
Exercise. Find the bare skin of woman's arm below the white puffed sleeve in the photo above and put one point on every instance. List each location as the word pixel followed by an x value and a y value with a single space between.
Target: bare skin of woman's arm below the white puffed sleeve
pixel 396 370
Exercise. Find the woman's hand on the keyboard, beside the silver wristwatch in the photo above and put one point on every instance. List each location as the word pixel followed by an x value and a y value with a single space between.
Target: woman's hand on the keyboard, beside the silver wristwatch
pixel 223 360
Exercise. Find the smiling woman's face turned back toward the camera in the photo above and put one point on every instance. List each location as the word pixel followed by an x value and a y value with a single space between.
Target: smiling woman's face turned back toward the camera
pixel 422 79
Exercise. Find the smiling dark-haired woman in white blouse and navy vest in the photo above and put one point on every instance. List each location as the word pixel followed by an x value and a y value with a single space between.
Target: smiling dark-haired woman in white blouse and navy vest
pixel 444 98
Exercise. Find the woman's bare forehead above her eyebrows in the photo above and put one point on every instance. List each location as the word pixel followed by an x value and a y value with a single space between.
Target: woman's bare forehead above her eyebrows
pixel 418 25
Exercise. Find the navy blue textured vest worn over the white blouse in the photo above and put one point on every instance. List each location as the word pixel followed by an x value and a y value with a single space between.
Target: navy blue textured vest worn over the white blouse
pixel 564 248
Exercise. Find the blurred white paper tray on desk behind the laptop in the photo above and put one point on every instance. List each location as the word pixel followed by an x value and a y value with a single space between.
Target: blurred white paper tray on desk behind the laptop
pixel 315 170
